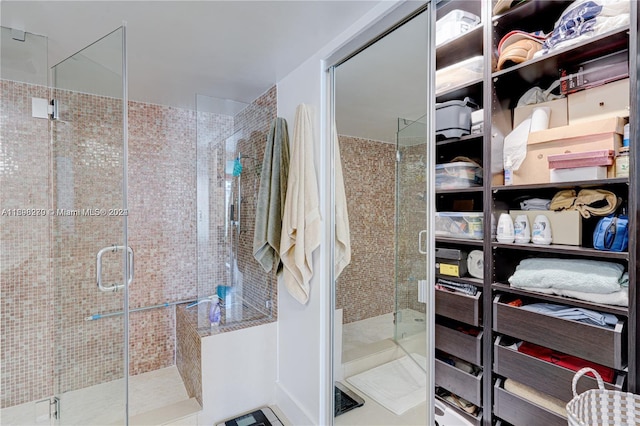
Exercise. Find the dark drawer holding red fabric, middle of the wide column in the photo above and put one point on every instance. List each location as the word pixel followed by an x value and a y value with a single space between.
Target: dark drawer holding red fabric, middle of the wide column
pixel 546 377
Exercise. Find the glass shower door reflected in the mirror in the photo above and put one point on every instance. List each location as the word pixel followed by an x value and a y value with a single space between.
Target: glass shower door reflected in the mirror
pixel 410 247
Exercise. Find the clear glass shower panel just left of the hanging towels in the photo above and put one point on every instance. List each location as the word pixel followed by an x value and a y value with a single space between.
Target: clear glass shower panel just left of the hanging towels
pixel 231 137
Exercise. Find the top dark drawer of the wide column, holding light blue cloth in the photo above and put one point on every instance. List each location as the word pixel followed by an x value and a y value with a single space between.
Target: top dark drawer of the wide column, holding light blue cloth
pixel 598 344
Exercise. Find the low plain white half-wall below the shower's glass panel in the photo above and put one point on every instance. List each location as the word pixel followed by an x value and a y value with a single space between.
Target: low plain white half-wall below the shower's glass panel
pixel 238 372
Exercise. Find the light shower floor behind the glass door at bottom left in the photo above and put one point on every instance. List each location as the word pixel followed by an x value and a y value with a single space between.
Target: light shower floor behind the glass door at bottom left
pixel 157 398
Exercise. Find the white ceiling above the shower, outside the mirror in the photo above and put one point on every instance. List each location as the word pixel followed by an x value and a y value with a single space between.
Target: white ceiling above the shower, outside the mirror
pixel 229 50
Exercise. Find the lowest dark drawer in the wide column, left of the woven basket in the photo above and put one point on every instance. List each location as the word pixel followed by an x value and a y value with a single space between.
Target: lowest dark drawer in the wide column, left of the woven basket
pixel 519 411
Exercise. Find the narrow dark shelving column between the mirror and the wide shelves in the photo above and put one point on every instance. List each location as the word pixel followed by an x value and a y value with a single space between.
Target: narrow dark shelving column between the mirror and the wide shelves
pixel 460 332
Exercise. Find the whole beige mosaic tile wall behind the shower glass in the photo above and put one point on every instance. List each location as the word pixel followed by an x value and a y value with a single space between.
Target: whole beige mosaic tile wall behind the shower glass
pixel 48 262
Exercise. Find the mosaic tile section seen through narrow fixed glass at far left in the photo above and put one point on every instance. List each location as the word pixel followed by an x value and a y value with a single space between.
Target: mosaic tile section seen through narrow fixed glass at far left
pixel 26 290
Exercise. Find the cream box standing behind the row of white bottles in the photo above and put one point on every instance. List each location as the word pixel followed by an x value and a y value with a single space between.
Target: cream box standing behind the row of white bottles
pixel 566 226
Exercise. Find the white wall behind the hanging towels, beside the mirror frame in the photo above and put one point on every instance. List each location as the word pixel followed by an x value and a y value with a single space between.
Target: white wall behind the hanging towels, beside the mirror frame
pixel 304 357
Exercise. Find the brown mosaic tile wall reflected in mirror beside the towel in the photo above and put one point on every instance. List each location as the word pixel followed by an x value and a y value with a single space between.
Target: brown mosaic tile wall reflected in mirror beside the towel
pixel 366 288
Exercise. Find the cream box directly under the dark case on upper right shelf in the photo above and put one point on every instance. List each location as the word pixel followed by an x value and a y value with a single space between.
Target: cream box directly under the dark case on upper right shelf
pixel 608 100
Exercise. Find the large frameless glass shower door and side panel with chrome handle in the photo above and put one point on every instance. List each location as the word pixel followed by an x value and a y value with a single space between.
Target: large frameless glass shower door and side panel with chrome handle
pixel 66 265
